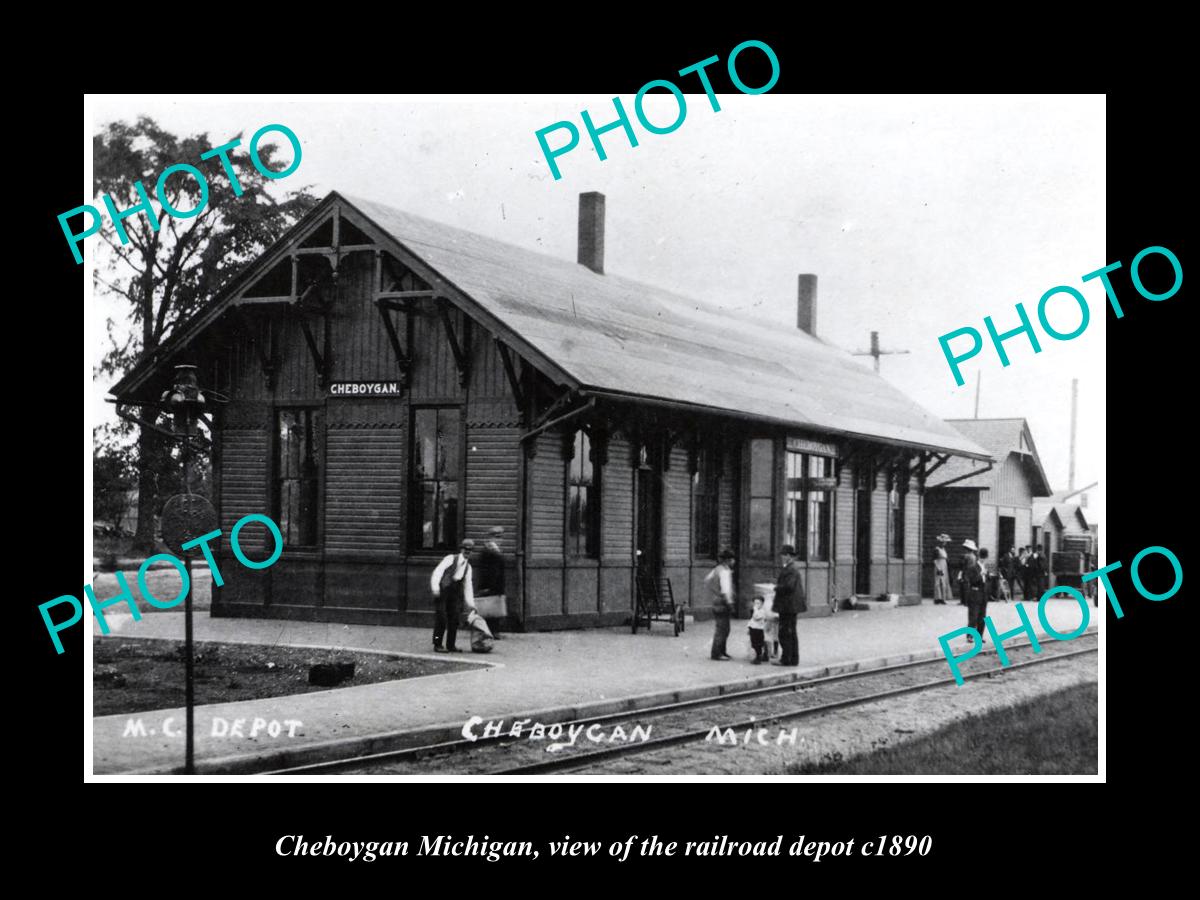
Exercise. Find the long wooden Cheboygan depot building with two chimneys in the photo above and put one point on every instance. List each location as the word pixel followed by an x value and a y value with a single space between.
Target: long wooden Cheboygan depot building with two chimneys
pixel 395 386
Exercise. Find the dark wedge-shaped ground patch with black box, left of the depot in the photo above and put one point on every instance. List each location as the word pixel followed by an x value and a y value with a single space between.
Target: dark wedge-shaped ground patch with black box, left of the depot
pixel 136 676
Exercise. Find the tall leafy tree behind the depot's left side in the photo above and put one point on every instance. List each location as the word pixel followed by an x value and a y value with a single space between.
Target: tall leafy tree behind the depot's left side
pixel 170 273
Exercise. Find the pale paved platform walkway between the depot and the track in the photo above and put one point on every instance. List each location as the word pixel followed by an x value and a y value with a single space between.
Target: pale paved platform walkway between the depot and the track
pixel 553 676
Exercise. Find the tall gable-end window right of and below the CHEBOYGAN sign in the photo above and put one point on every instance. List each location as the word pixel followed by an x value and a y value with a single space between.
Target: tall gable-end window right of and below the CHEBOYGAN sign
pixel 436 471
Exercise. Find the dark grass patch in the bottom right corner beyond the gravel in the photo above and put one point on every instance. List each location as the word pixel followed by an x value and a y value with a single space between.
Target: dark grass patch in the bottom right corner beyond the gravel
pixel 1054 735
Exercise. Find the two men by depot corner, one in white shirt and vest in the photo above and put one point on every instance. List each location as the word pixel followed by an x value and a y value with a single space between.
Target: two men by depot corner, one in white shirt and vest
pixel 454 596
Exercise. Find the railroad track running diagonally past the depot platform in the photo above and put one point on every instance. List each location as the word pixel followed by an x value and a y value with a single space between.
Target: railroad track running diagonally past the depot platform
pixel 759 707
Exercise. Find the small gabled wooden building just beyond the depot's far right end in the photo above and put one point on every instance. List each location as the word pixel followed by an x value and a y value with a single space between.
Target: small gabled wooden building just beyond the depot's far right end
pixel 989 503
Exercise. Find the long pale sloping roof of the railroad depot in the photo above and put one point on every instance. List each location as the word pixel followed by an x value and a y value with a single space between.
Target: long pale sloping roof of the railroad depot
pixel 615 337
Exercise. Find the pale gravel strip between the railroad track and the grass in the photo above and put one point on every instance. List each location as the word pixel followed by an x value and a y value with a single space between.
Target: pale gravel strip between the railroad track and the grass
pixel 839 735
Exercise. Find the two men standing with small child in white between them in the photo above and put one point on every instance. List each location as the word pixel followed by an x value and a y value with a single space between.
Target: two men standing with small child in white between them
pixel 773 622
